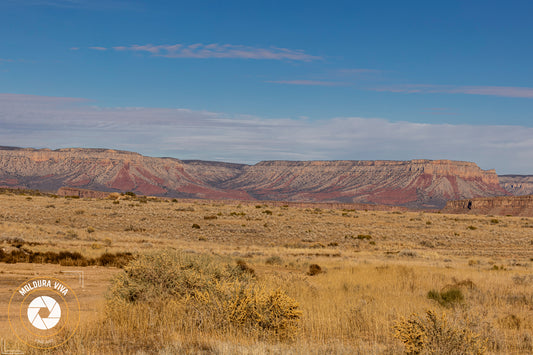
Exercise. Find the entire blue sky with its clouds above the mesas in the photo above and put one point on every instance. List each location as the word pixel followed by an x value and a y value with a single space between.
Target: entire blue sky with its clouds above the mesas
pixel 246 81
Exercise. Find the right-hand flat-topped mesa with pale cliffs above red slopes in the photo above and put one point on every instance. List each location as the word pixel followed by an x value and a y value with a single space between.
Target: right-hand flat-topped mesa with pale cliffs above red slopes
pixel 416 183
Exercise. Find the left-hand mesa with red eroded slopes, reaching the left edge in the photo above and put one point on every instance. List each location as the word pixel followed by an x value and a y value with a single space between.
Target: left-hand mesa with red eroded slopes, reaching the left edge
pixel 110 170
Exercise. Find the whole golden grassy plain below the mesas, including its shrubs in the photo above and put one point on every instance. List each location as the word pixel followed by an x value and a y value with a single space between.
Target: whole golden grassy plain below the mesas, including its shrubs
pixel 340 281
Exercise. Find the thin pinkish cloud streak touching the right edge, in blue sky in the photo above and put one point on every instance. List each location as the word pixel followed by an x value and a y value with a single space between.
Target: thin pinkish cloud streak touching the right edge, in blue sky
pixel 502 91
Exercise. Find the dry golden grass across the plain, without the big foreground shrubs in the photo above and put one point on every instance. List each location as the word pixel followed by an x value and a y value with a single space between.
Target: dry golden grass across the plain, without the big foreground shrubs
pixel 377 269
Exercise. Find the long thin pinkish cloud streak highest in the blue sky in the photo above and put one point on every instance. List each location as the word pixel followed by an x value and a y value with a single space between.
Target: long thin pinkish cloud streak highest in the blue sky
pixel 216 50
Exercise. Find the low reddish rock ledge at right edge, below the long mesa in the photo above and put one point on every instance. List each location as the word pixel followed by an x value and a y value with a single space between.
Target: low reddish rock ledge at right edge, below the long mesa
pixel 503 206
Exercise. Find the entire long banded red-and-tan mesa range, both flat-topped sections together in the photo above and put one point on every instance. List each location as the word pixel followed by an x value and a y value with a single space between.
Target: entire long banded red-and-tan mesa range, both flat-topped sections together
pixel 414 183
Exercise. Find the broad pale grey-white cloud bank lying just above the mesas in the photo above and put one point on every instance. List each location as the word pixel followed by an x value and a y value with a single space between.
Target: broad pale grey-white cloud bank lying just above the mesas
pixel 35 121
